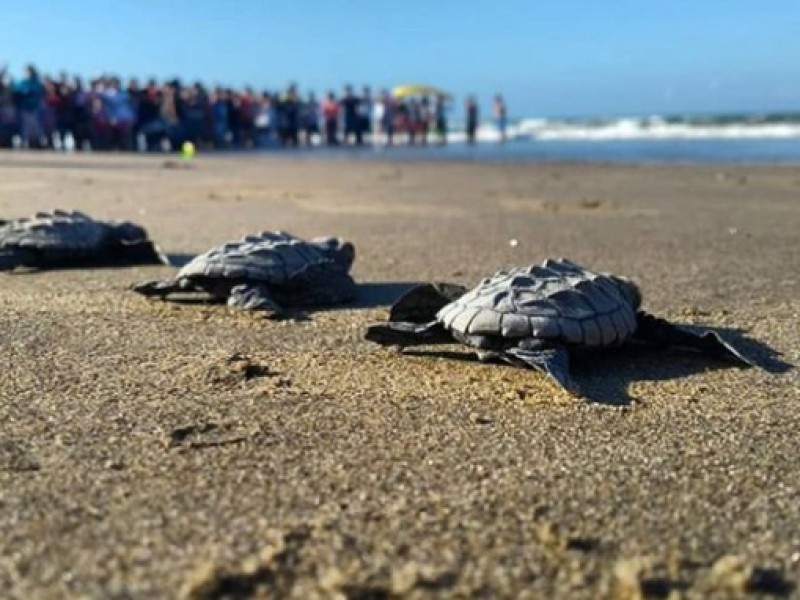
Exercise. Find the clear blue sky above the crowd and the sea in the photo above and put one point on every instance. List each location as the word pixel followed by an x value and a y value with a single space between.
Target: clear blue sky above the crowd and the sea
pixel 549 58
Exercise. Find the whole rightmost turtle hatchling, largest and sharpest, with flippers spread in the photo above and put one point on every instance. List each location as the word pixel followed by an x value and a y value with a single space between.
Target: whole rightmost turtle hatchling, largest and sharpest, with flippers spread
pixel 534 316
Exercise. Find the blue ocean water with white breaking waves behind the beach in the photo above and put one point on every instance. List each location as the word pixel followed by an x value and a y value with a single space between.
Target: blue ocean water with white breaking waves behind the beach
pixel 705 139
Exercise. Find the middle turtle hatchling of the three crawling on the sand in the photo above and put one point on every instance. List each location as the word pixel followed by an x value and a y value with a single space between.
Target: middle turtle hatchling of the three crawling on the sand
pixel 269 271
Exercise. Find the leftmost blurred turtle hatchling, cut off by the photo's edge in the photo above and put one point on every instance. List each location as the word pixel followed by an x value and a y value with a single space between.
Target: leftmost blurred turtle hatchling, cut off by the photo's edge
pixel 60 238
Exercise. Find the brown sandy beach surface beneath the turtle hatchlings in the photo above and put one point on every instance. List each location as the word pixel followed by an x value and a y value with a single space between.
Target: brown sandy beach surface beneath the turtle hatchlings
pixel 162 450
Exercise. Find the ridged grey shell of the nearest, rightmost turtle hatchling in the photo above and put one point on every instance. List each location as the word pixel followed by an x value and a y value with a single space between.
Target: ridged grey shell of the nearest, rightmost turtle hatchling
pixel 557 301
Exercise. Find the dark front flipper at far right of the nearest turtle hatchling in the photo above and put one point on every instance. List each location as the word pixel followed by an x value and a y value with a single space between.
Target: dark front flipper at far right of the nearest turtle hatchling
pixel 658 331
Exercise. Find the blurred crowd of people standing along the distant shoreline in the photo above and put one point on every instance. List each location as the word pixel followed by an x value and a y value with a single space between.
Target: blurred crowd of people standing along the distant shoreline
pixel 66 113
